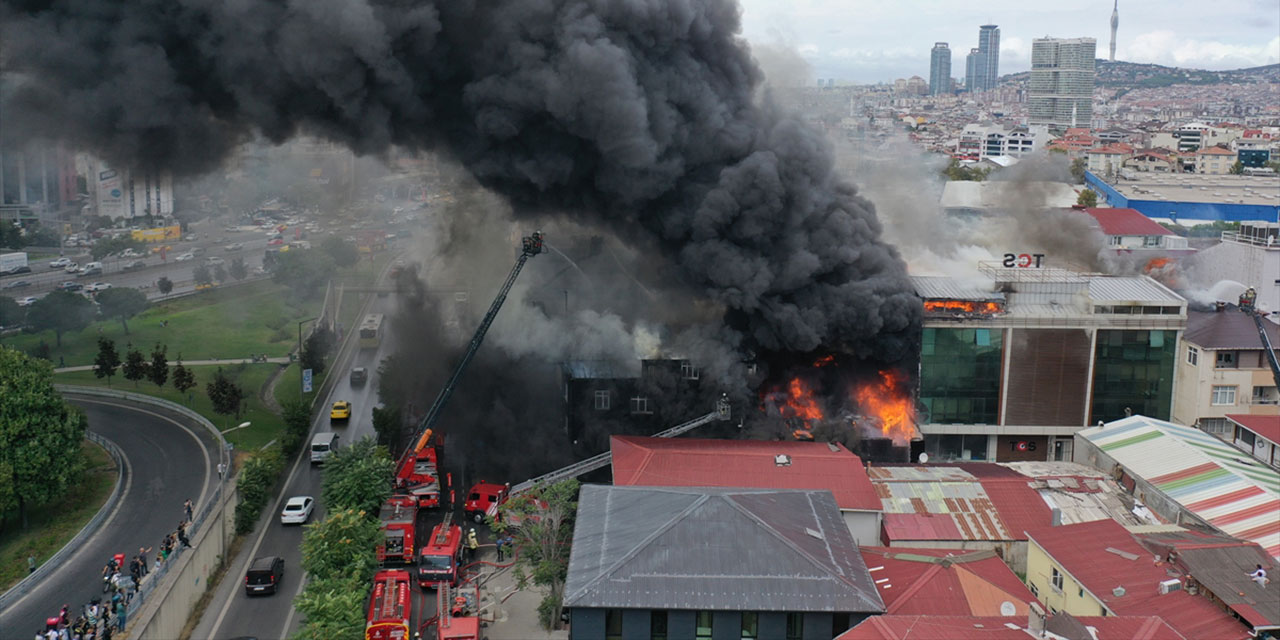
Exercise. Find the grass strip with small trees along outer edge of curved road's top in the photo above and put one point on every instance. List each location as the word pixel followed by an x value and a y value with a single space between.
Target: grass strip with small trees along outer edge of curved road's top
pixel 266 426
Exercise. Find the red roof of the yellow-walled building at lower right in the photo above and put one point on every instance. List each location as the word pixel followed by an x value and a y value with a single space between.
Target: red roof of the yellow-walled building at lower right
pixel 1084 552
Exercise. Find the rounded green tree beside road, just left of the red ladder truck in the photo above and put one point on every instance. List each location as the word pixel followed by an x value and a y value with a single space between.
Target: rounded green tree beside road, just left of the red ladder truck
pixel 358 477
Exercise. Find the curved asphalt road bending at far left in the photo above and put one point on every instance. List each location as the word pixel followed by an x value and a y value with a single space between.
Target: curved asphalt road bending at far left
pixel 166 464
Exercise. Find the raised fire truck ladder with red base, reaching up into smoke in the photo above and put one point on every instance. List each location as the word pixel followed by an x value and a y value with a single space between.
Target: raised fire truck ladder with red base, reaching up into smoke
pixel 418 470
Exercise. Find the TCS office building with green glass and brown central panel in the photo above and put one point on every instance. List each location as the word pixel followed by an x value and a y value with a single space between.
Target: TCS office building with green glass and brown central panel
pixel 1014 363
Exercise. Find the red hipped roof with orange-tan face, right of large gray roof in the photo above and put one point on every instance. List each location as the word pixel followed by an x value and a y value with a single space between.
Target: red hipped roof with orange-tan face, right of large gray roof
pixel 945 582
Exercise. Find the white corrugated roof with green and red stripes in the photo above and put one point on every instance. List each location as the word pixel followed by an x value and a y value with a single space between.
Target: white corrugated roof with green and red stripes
pixel 1220 484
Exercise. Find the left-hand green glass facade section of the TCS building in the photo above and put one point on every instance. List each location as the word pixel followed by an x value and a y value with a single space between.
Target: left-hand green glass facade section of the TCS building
pixel 961 376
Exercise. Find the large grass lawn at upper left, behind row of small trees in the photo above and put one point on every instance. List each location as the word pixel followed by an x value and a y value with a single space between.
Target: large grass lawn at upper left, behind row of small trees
pixel 228 323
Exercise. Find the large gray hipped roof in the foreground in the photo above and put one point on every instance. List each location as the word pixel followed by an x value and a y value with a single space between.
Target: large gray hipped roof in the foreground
pixel 728 550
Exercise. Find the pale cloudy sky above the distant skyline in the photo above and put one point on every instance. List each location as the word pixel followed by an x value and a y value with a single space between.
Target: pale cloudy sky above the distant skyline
pixel 868 42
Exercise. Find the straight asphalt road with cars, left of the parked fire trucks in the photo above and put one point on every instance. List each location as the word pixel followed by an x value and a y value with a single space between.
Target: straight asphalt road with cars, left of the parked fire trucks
pixel 232 614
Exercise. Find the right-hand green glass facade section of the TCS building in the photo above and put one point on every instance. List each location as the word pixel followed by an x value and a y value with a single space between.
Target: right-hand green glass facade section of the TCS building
pixel 1133 371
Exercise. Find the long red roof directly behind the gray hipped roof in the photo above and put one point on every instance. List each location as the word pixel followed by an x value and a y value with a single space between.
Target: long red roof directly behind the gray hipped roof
pixel 755 464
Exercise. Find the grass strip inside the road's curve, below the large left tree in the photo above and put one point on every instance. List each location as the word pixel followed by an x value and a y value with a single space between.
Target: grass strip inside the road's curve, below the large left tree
pixel 54 525
